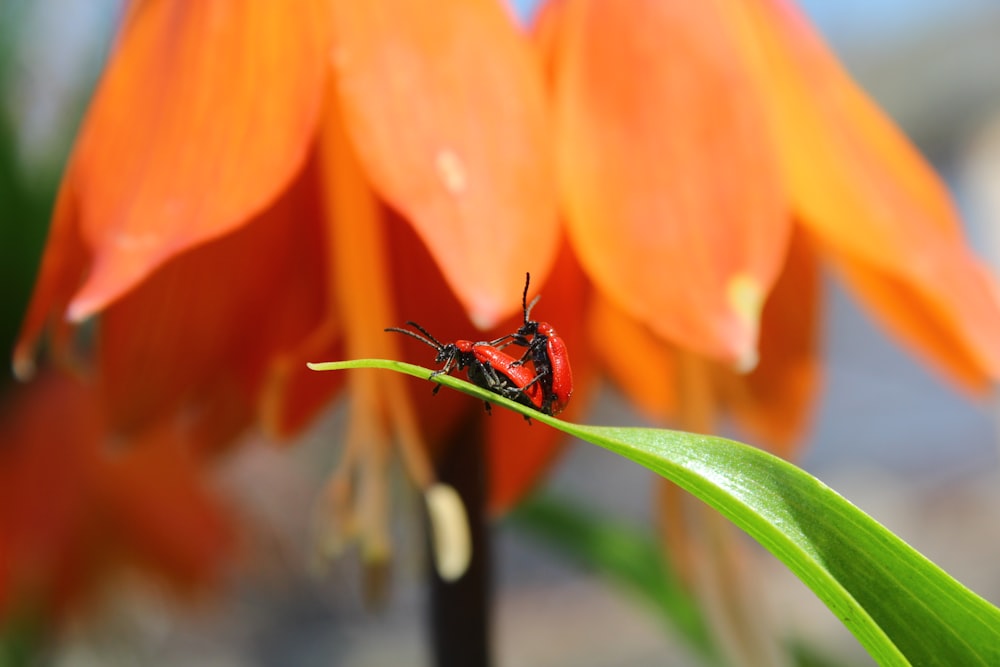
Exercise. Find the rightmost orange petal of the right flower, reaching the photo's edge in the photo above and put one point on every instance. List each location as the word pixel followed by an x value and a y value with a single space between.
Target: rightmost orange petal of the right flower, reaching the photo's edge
pixel 869 197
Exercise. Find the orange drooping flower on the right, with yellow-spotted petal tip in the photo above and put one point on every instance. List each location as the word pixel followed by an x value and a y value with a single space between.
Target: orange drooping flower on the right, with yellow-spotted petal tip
pixel 710 156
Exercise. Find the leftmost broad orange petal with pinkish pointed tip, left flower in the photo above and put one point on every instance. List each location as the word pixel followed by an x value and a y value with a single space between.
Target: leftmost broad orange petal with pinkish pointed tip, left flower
pixel 203 115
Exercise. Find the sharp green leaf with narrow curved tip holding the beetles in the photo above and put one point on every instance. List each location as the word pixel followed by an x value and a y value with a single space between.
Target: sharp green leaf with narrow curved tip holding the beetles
pixel 900 606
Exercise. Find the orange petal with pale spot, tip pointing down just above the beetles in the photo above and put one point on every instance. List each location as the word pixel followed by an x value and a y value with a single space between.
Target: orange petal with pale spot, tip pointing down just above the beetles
pixel 446 110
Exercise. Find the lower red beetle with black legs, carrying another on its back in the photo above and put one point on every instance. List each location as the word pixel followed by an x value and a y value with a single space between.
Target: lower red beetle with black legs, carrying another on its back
pixel 488 367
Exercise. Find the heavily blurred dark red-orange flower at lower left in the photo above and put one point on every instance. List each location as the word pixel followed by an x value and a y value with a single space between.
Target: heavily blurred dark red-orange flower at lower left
pixel 73 511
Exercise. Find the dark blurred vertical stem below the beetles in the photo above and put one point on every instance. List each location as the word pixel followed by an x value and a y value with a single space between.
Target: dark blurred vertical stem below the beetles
pixel 460 610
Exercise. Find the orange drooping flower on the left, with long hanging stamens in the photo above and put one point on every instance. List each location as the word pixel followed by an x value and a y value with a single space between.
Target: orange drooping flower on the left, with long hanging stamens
pixel 243 197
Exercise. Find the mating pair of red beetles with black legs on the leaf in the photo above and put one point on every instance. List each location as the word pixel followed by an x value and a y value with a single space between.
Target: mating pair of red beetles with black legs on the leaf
pixel 546 386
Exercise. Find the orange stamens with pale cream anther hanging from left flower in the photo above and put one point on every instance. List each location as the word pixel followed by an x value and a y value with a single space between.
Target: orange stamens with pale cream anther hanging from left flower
pixel 380 410
